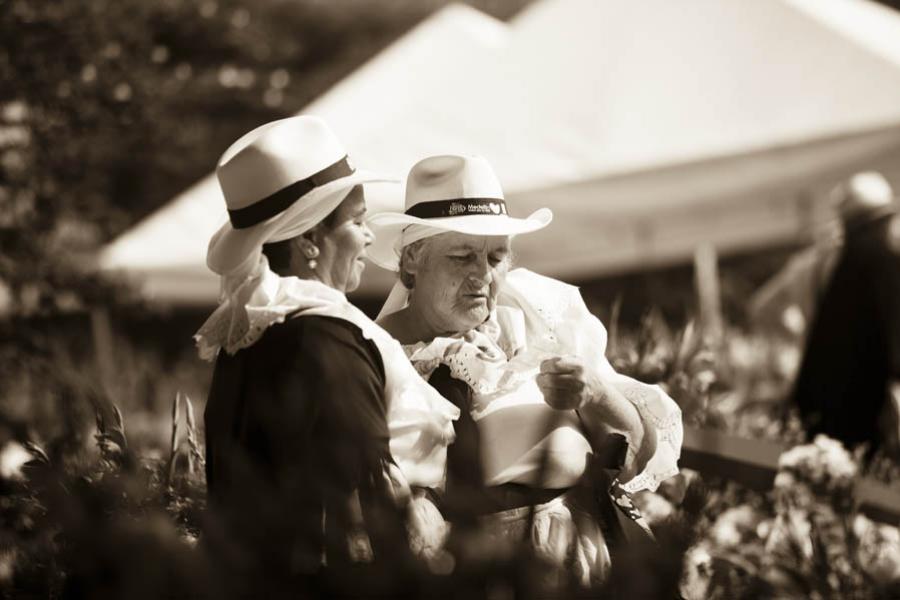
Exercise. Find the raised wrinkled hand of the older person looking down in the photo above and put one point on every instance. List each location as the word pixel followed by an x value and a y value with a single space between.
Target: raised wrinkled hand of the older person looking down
pixel 568 383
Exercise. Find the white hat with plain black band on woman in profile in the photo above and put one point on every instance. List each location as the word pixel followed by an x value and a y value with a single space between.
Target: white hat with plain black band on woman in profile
pixel 291 170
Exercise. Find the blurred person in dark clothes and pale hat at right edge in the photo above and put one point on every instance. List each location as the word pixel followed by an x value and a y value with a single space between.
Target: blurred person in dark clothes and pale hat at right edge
pixel 847 383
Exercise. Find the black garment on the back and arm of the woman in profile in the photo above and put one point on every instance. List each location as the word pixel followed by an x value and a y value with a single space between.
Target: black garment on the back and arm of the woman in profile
pixel 296 445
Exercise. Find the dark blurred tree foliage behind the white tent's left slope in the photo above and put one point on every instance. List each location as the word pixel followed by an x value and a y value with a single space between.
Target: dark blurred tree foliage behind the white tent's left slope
pixel 108 108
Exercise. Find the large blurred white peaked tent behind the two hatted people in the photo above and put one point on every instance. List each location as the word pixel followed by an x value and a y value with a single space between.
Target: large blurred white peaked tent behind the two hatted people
pixel 618 116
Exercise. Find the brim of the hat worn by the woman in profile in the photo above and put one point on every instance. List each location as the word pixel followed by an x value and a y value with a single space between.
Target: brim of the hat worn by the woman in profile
pixel 229 247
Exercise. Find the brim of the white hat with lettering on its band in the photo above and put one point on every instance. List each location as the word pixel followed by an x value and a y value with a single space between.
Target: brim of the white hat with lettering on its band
pixel 388 226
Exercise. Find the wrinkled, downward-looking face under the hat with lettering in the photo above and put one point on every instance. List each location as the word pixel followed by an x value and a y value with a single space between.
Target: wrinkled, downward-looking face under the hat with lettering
pixel 457 278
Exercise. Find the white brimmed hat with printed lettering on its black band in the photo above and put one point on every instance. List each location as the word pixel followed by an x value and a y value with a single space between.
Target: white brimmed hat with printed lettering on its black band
pixel 448 193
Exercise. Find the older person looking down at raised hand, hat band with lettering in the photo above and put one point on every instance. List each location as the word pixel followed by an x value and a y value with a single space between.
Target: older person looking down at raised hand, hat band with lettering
pixel 523 359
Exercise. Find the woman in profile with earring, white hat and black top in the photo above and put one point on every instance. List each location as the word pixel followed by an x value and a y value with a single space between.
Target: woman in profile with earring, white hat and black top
pixel 302 467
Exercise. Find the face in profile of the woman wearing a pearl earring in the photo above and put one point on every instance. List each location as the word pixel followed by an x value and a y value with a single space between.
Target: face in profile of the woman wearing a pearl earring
pixel 342 246
